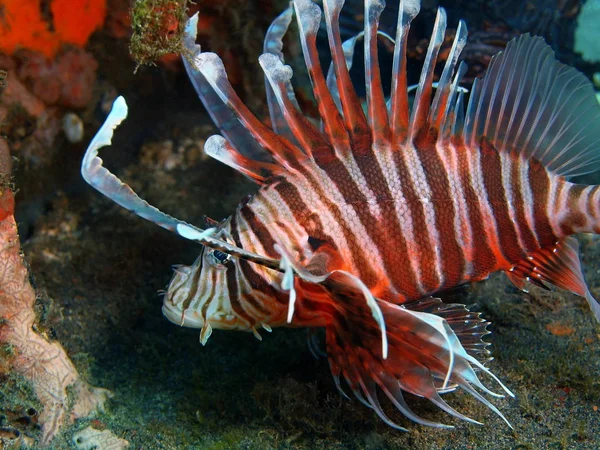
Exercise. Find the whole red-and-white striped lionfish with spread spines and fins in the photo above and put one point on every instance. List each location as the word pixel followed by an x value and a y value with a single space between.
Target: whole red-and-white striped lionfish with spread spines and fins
pixel 362 222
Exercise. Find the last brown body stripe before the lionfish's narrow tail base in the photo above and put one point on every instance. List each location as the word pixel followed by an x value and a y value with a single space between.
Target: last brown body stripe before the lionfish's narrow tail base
pixel 540 186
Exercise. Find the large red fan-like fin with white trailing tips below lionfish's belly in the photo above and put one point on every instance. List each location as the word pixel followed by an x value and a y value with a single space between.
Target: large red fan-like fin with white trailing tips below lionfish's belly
pixel 433 348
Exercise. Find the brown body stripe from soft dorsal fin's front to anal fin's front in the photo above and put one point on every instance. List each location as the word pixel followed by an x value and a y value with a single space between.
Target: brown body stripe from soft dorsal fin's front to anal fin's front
pixel 491 168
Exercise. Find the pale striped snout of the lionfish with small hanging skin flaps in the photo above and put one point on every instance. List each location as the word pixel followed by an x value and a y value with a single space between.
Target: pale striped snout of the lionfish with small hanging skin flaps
pixel 197 296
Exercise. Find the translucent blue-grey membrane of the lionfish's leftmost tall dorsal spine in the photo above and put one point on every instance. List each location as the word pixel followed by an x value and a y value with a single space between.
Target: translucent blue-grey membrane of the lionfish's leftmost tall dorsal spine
pixel 221 115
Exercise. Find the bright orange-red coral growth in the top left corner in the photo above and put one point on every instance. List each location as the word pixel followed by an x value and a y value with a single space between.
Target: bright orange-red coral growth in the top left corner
pixel 23 24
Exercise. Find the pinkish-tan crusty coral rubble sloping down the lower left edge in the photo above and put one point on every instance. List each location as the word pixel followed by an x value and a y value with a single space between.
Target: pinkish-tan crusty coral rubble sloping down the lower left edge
pixel 43 363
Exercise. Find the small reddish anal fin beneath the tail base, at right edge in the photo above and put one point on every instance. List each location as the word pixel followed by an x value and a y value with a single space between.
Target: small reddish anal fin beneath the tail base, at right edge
pixel 558 265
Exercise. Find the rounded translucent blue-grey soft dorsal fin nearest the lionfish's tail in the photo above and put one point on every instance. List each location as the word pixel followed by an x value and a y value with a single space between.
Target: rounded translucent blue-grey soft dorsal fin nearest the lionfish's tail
pixel 530 104
